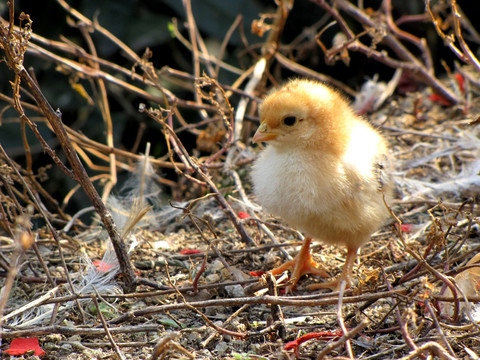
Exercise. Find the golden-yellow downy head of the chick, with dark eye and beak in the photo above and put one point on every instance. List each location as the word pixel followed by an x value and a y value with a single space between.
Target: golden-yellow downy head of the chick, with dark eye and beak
pixel 307 113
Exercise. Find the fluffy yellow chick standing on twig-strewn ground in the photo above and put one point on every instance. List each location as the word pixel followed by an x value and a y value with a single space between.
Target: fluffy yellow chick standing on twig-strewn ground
pixel 322 172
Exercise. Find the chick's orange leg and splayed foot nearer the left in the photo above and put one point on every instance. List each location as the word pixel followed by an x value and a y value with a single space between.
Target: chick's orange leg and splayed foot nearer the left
pixel 302 264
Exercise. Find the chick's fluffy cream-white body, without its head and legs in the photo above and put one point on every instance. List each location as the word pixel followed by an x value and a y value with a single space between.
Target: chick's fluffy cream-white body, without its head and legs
pixel 308 196
